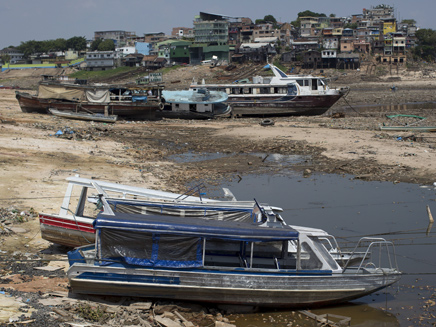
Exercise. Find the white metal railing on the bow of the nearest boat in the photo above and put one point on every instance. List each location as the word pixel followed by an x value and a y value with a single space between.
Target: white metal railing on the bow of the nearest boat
pixel 385 248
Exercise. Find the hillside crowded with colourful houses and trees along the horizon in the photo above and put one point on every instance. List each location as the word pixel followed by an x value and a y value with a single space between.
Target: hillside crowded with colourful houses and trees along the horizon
pixel 312 41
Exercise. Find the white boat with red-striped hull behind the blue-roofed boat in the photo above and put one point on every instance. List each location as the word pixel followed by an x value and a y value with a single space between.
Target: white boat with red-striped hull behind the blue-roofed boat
pixel 73 225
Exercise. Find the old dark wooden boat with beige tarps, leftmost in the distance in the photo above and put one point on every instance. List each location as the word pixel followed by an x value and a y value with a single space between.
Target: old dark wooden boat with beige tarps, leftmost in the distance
pixel 125 101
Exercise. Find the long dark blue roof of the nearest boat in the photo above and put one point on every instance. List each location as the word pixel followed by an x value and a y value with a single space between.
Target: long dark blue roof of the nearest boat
pixel 194 227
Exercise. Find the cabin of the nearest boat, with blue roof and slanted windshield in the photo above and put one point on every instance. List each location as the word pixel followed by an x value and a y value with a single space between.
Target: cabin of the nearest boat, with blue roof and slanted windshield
pixel 129 240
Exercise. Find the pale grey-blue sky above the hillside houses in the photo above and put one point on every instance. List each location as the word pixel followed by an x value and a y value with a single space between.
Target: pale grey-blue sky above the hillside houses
pixel 24 20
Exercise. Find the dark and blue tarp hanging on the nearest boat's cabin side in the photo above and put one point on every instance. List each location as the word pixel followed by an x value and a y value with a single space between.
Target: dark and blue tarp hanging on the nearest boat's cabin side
pixel 150 250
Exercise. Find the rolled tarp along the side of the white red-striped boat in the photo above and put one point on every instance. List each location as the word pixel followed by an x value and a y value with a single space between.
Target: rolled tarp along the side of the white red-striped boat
pixel 230 214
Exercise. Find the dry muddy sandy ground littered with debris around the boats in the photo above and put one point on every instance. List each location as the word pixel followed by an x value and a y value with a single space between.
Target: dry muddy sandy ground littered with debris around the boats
pixel 34 163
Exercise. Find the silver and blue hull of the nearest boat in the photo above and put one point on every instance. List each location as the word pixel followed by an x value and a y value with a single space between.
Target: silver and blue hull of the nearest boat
pixel 277 289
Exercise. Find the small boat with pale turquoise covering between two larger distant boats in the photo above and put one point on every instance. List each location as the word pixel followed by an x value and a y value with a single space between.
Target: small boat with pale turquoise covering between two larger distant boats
pixel 190 104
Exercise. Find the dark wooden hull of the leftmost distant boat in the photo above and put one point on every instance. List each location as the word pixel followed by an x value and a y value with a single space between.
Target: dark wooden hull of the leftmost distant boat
pixel 30 103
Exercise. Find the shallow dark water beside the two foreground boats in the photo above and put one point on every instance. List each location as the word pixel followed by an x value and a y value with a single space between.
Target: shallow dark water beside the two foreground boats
pixel 350 209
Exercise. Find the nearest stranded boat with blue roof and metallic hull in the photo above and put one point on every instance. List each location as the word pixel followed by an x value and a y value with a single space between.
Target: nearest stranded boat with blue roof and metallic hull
pixel 222 262
